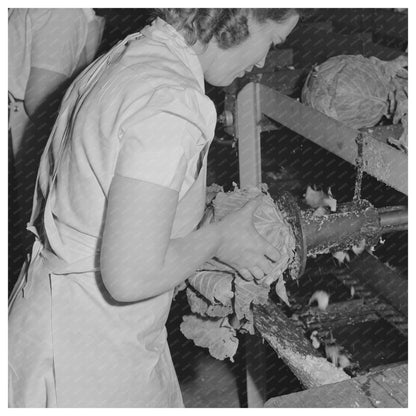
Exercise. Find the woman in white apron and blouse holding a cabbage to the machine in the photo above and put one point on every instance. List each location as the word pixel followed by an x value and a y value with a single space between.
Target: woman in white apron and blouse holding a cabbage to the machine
pixel 123 188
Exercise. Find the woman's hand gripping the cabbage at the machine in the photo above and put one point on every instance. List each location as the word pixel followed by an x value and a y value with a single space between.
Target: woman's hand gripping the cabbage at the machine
pixel 242 247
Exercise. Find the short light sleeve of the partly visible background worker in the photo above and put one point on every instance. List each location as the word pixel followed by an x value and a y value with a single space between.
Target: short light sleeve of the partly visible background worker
pixel 58 37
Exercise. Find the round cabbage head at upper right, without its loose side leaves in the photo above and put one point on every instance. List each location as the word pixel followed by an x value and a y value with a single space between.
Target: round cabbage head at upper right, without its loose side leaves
pixel 348 88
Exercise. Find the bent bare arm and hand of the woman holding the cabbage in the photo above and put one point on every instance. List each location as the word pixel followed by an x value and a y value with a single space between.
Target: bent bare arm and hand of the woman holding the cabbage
pixel 140 260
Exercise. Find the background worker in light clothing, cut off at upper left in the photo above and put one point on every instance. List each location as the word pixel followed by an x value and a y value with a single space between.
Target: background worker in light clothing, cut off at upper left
pixel 47 47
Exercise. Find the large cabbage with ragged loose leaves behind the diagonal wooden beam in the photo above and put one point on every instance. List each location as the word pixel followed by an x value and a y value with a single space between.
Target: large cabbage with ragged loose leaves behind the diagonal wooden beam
pixel 359 91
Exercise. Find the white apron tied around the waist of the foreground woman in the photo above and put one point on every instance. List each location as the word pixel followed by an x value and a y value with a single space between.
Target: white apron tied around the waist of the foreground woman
pixel 70 343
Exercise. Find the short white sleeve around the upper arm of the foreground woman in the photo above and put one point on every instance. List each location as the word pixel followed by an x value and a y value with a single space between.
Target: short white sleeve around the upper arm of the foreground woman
pixel 155 150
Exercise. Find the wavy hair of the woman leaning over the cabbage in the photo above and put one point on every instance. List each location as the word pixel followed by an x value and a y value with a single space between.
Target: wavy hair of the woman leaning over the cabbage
pixel 228 26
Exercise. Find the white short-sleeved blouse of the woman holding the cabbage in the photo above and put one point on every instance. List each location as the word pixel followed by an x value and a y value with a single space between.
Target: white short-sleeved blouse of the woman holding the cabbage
pixel 147 118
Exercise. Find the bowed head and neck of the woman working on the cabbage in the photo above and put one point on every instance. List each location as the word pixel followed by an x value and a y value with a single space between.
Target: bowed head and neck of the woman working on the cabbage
pixel 229 42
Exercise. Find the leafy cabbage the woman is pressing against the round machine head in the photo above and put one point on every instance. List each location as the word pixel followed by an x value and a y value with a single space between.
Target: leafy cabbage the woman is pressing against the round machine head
pixel 220 299
